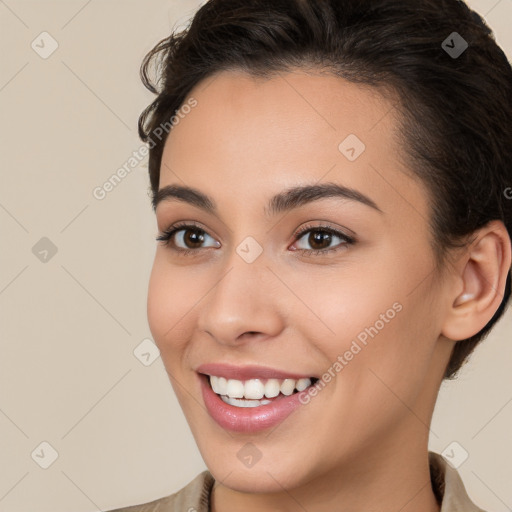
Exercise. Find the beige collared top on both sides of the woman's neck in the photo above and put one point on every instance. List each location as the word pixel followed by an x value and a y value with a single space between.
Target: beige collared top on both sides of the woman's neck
pixel 195 496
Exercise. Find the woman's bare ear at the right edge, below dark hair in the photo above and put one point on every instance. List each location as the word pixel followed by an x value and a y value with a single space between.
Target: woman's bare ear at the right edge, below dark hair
pixel 480 282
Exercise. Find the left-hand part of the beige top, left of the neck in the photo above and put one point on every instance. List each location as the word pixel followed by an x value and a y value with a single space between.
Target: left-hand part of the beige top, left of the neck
pixel 195 496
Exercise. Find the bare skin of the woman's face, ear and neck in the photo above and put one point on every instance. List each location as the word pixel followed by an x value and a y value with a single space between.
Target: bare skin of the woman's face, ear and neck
pixel 362 443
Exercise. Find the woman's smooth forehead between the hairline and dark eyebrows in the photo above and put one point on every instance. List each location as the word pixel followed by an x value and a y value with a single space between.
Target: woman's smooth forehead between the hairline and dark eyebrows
pixel 249 134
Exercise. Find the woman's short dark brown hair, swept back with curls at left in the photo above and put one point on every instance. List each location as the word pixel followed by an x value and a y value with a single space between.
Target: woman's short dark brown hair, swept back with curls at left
pixel 456 111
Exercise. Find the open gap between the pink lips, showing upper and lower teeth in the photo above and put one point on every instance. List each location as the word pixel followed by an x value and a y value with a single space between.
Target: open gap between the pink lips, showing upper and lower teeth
pixel 256 392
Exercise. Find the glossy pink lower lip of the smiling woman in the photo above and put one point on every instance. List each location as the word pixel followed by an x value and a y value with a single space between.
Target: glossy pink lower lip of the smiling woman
pixel 247 419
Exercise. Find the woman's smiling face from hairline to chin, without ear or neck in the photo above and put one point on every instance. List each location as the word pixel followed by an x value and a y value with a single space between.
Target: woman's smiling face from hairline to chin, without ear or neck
pixel 367 313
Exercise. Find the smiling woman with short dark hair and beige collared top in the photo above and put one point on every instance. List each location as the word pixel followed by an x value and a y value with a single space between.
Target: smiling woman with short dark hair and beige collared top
pixel 331 181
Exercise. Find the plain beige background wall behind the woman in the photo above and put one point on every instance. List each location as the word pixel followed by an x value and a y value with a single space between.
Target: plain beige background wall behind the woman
pixel 69 326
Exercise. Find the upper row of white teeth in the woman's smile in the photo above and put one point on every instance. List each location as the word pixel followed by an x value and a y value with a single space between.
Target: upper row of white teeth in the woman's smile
pixel 255 389
